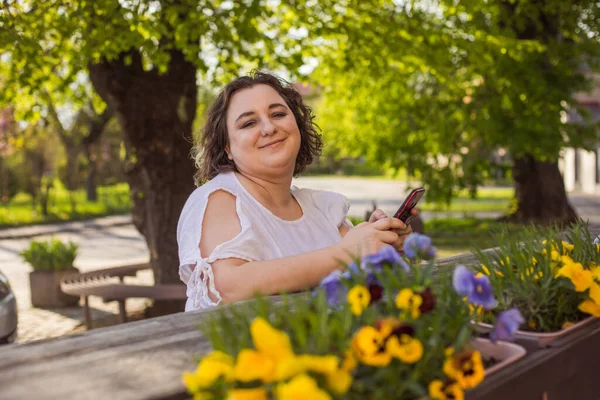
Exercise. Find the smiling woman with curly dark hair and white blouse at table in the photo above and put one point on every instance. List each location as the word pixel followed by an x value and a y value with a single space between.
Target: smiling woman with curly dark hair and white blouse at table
pixel 247 230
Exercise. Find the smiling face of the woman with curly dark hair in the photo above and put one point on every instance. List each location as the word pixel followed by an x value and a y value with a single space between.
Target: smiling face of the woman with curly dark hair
pixel 264 138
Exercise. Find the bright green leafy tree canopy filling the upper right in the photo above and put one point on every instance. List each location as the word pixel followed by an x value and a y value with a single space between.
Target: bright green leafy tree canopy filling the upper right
pixel 436 86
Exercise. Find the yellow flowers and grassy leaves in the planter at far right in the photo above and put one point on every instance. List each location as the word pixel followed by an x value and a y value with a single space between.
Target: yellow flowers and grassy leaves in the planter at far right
pixel 553 282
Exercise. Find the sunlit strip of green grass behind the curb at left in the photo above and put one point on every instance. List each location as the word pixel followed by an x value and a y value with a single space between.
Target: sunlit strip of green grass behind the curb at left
pixel 20 210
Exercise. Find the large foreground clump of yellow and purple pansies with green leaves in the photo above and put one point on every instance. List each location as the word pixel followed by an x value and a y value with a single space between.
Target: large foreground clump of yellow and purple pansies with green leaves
pixel 381 328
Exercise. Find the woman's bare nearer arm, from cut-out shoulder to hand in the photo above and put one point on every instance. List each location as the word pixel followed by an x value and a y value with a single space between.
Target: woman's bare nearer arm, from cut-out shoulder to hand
pixel 237 279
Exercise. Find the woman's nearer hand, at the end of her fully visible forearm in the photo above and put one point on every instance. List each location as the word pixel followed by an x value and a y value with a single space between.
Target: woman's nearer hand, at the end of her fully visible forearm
pixel 368 237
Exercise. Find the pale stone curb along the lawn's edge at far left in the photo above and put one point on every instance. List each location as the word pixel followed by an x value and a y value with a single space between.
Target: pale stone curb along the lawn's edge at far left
pixel 50 229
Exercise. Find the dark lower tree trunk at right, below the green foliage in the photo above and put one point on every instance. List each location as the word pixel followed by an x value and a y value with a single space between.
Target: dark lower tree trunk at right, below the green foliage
pixel 540 193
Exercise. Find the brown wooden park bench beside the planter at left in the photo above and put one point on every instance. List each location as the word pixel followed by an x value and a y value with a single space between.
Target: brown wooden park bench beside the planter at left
pixel 109 285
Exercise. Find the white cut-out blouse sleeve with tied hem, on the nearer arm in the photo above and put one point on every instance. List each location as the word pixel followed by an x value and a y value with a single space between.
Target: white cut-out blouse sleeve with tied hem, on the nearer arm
pixel 195 269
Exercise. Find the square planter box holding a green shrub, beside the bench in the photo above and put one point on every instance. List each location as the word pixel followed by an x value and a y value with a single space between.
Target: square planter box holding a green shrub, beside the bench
pixel 45 289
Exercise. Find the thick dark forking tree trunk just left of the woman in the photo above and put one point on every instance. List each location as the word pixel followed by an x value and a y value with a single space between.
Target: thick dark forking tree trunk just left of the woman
pixel 156 113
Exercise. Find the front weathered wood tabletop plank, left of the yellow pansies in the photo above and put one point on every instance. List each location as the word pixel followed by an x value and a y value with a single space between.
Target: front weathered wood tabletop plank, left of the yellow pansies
pixel 144 370
